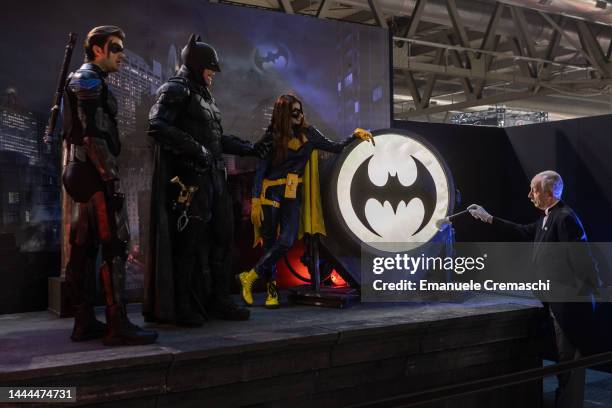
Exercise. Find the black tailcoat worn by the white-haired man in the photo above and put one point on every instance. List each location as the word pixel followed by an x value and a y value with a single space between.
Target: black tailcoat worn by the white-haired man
pixel 558 255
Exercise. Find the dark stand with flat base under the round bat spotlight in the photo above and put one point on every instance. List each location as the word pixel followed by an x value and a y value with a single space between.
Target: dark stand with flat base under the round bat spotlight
pixel 314 294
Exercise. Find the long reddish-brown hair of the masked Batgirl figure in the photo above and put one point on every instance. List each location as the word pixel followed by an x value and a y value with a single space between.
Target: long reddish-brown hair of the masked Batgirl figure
pixel 281 125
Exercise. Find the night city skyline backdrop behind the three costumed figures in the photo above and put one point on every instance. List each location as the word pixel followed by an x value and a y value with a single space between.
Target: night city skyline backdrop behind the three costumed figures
pixel 339 70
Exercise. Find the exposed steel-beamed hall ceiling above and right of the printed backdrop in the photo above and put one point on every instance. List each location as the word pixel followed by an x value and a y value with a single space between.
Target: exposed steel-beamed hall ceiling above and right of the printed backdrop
pixel 461 55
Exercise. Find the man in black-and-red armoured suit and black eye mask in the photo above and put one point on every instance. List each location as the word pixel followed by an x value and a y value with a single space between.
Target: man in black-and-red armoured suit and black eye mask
pixel 91 178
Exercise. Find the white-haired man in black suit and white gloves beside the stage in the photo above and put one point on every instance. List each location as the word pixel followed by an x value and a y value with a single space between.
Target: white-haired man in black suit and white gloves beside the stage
pixel 570 268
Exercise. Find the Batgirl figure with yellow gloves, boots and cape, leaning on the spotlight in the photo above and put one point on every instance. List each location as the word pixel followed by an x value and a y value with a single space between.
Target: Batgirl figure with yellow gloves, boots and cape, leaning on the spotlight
pixel 285 197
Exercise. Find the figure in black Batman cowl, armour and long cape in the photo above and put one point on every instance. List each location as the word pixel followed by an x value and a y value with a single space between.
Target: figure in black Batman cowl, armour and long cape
pixel 188 278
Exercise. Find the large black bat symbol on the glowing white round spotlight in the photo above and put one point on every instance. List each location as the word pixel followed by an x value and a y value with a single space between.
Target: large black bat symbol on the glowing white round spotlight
pixel 362 189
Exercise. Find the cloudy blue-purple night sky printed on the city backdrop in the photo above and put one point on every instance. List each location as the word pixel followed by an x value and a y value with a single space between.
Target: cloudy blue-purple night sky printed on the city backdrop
pixel 33 35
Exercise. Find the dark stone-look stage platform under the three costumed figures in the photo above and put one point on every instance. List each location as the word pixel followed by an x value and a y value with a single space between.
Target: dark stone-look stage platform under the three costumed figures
pixel 296 356
